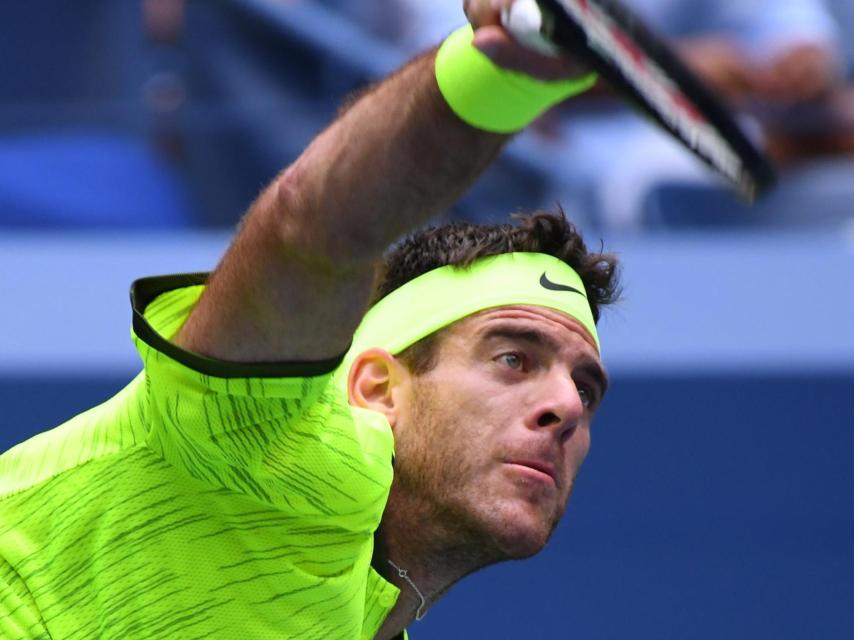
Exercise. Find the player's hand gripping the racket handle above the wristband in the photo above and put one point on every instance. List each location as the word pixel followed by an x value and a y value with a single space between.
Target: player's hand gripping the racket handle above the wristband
pixel 499 45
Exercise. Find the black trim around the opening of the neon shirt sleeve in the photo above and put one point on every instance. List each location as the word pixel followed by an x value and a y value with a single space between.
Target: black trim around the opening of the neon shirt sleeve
pixel 144 290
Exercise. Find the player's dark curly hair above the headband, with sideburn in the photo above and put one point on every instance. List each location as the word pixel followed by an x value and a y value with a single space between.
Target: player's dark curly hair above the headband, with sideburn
pixel 461 243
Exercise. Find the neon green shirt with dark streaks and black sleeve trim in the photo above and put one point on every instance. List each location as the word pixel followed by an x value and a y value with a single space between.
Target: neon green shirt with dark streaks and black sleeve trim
pixel 205 500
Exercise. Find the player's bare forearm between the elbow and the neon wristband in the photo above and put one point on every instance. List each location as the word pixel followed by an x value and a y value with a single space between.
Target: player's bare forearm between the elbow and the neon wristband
pixel 392 160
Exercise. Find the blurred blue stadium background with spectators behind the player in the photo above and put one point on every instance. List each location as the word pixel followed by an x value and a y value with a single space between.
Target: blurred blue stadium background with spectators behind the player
pixel 717 500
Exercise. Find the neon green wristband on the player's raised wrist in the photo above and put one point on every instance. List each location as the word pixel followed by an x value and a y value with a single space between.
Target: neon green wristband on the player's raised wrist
pixel 491 98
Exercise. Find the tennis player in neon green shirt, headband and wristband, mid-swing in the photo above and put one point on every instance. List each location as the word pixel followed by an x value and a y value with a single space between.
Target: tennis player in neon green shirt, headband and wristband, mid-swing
pixel 288 466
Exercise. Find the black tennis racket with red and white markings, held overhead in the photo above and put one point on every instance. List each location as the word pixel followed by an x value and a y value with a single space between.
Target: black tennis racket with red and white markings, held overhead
pixel 639 64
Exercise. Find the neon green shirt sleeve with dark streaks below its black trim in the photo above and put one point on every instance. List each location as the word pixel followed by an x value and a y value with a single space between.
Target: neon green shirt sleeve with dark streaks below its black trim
pixel 285 436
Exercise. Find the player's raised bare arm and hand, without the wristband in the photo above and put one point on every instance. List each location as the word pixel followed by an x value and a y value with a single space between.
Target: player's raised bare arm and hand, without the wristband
pixel 296 280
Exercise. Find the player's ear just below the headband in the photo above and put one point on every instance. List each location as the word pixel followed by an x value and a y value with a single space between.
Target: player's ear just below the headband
pixel 375 382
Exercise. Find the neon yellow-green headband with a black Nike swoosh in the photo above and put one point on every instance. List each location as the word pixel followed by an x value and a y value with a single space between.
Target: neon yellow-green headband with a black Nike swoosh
pixel 442 296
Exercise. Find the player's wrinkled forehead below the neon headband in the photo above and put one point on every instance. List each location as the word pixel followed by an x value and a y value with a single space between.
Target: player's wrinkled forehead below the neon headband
pixel 562 328
